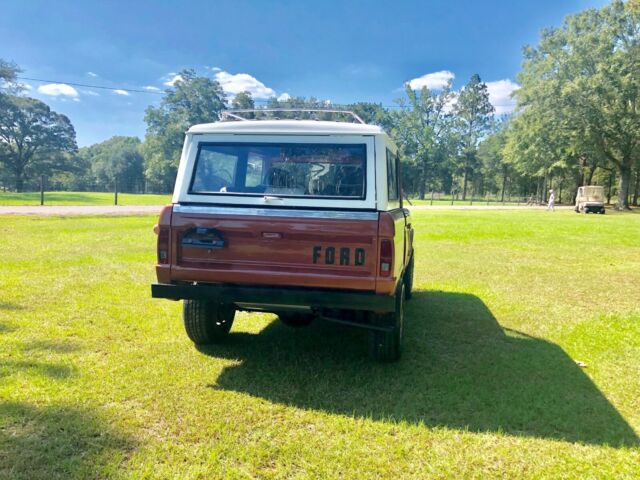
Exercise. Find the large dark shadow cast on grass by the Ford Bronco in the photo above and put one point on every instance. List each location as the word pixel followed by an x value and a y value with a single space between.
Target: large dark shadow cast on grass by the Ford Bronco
pixel 459 369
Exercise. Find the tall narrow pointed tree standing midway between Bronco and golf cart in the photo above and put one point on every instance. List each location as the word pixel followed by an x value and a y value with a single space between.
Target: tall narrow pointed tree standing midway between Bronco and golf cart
pixel 474 115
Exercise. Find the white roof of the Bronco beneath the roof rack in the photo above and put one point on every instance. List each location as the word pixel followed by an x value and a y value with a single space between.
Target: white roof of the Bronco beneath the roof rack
pixel 310 127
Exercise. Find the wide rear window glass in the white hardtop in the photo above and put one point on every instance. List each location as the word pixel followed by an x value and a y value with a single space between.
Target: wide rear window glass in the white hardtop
pixel 286 170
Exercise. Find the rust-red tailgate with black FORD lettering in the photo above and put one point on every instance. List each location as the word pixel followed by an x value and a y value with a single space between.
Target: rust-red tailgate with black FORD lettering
pixel 271 246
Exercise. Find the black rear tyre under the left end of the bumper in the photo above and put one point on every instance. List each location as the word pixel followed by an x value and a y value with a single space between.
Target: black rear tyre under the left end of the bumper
pixel 206 321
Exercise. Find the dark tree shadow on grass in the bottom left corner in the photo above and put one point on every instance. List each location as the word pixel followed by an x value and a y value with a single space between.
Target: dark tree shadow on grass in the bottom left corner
pixel 57 441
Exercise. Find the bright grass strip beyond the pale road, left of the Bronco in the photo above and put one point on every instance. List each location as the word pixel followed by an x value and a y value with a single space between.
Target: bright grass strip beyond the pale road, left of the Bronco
pixel 82 198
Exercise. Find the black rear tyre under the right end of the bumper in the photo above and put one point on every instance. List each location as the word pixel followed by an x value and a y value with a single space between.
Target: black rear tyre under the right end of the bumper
pixel 385 346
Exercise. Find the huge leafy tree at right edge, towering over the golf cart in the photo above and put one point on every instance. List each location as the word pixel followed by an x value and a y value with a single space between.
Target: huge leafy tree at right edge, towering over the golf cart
pixel 585 75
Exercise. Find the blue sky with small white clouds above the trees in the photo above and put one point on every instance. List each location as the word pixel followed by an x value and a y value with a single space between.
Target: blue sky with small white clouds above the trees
pixel 343 51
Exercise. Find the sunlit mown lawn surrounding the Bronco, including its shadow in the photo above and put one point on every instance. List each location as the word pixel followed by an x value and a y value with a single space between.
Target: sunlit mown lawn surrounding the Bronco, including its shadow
pixel 98 380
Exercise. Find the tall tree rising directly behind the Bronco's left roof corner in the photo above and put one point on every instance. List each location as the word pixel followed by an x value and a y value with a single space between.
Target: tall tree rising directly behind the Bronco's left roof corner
pixel 190 101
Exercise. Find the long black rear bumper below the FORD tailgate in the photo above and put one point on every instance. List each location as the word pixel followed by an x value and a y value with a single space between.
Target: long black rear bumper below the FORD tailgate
pixel 303 297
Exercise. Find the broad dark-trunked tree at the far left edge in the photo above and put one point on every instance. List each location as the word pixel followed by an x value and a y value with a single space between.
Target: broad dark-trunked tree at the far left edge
pixel 30 133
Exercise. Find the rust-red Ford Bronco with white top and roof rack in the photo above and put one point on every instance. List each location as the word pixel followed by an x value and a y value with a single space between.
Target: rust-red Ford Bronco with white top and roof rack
pixel 302 218
